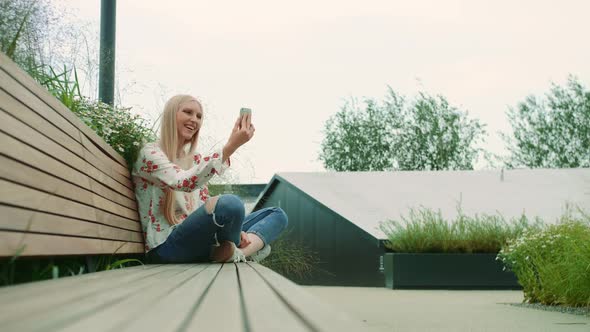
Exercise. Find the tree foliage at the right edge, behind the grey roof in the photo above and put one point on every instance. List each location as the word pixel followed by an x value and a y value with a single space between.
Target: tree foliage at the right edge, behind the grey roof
pixel 551 132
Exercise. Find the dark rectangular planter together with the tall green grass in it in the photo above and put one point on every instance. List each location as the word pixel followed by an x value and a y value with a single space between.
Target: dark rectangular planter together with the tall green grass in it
pixel 431 252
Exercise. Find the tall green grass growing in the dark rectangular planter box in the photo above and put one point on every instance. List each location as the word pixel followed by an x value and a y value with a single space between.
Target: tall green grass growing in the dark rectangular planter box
pixel 426 231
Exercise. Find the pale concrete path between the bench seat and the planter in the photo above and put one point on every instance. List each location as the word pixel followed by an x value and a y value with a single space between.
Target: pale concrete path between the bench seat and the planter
pixel 383 309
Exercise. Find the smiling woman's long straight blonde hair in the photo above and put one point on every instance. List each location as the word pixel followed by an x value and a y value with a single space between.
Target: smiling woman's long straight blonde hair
pixel 169 145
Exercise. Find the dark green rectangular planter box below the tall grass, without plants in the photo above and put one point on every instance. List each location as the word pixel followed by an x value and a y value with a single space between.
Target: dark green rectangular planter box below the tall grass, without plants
pixel 461 271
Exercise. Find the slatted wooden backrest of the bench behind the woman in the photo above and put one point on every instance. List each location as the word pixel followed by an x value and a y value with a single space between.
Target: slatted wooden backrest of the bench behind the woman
pixel 63 190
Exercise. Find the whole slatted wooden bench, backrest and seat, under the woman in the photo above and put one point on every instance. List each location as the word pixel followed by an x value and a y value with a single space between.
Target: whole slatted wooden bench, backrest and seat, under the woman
pixel 65 192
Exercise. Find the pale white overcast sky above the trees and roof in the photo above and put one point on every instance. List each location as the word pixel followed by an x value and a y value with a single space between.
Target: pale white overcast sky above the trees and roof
pixel 294 63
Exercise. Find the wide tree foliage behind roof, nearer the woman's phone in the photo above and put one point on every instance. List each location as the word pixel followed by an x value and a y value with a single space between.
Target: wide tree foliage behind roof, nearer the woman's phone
pixel 426 133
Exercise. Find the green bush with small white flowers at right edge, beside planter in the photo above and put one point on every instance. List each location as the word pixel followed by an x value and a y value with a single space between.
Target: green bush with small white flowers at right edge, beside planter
pixel 553 264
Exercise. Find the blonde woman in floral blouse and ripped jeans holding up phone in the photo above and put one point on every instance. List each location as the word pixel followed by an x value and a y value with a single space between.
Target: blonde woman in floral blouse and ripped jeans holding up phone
pixel 181 222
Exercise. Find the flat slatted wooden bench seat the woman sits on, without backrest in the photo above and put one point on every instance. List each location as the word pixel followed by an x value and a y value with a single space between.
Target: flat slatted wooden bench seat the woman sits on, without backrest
pixel 184 297
